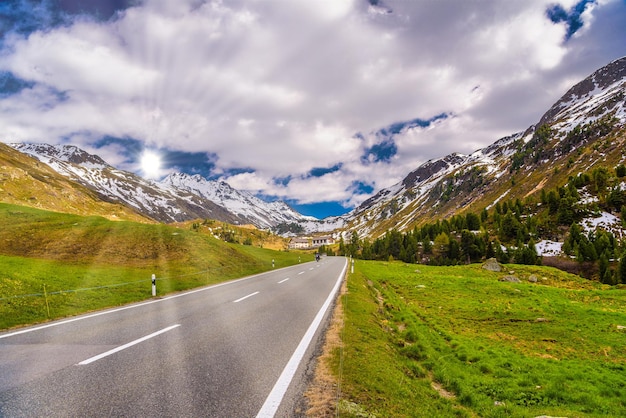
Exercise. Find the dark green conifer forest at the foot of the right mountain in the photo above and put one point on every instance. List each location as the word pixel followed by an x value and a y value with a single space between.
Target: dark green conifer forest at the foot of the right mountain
pixel 509 230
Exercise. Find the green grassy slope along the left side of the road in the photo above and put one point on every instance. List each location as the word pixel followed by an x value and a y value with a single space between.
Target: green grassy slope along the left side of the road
pixel 88 263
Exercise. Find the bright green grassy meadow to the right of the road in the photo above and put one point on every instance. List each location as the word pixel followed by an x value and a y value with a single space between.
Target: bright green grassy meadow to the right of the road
pixel 422 341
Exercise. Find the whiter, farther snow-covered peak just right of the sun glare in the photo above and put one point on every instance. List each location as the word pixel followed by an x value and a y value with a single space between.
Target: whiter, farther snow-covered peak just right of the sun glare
pixel 243 204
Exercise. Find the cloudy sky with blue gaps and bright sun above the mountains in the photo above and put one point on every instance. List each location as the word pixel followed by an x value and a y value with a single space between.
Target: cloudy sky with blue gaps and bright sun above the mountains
pixel 317 102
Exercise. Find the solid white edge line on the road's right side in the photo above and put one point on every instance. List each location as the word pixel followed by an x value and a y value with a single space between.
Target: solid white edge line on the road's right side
pixel 274 399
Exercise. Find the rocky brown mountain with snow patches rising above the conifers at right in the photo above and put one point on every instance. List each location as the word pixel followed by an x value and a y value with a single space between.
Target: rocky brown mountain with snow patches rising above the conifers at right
pixel 584 129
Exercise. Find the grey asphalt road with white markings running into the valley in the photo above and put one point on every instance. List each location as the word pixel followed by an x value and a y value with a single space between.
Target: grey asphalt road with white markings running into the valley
pixel 228 350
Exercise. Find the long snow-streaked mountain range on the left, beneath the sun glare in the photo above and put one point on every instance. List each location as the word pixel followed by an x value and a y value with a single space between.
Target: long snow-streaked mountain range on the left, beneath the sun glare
pixel 179 197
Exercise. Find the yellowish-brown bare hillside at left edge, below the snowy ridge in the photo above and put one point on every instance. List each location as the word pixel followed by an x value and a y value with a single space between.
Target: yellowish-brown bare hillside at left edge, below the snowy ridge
pixel 27 182
